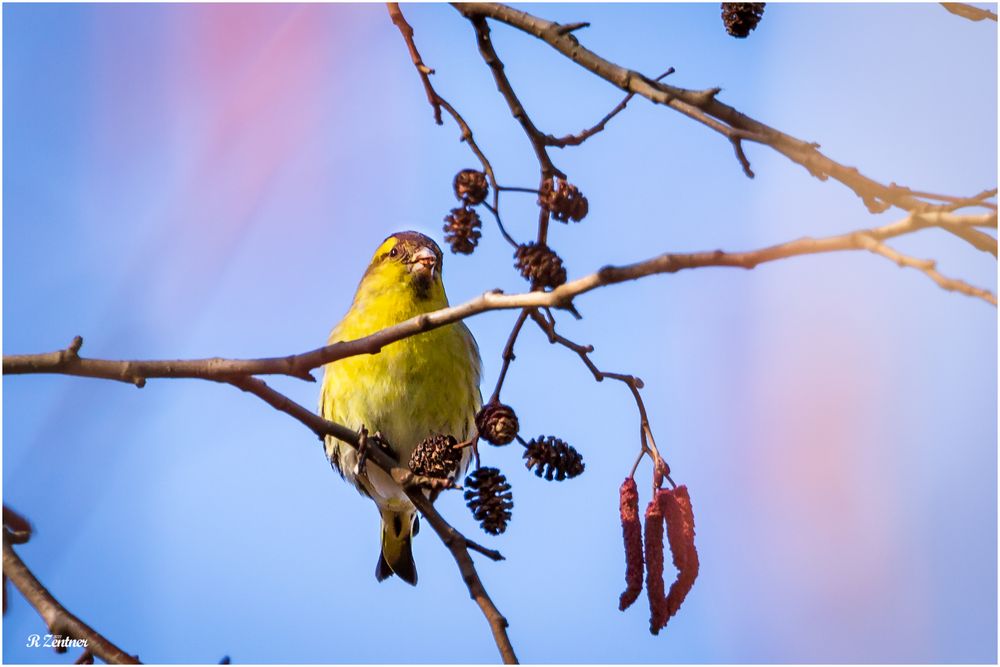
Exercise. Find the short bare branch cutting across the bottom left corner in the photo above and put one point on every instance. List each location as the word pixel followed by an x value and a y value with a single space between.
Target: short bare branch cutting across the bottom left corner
pixel 58 619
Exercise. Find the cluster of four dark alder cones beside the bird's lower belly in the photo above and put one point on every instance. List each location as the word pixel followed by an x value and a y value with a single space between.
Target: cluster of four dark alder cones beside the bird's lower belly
pixel 487 491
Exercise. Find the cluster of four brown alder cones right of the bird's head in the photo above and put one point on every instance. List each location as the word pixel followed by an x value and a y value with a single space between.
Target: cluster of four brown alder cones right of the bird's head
pixel 537 262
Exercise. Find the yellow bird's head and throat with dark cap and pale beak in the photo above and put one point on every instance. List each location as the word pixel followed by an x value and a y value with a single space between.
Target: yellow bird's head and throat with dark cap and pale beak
pixel 406 264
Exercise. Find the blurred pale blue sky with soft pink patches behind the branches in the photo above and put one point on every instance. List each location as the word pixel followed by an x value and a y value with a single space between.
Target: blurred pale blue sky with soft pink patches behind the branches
pixel 188 181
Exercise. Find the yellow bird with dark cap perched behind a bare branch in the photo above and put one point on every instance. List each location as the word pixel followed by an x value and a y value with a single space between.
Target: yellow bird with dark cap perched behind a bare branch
pixel 422 386
